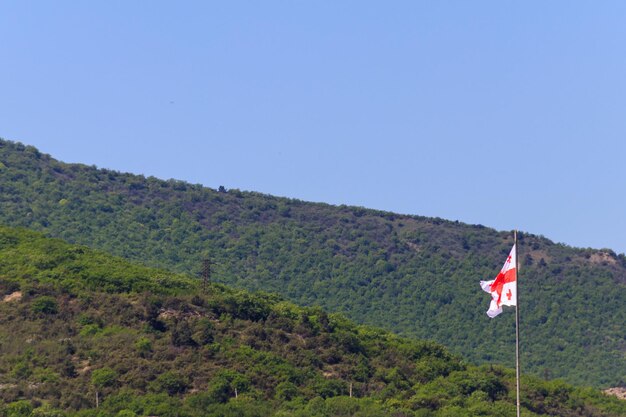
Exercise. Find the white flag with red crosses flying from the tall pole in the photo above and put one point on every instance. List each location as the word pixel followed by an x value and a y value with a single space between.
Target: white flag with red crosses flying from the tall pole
pixel 503 289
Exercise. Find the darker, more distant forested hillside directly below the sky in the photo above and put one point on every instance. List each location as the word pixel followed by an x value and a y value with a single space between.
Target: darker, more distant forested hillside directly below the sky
pixel 413 275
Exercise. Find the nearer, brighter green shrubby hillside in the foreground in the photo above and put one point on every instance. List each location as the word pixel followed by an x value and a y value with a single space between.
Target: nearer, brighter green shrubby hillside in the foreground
pixel 80 330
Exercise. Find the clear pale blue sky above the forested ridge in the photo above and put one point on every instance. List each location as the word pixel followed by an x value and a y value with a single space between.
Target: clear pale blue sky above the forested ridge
pixel 507 114
